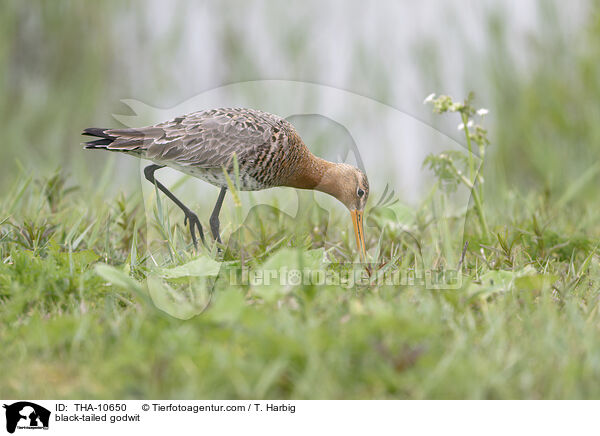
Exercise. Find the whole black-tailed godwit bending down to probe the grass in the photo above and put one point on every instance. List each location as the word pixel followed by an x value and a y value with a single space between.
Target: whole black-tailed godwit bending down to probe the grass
pixel 269 151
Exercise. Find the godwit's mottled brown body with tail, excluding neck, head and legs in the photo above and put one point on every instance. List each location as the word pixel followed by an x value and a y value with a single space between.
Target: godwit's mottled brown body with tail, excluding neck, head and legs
pixel 203 144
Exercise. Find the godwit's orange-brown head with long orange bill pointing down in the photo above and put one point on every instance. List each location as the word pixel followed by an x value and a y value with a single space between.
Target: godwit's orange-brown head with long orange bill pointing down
pixel 350 186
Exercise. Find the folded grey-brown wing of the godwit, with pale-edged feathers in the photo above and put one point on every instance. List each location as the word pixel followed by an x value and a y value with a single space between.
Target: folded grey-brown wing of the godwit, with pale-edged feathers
pixel 203 139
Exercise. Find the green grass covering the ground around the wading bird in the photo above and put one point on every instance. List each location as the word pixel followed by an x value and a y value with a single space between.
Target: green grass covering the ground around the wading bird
pixel 525 323
